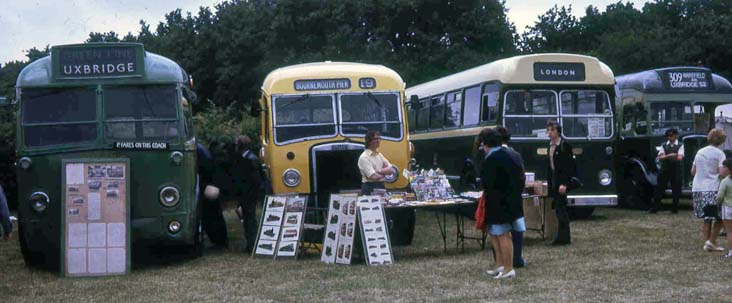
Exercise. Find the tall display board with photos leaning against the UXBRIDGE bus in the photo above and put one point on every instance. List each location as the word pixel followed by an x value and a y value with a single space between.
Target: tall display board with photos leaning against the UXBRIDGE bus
pixel 95 218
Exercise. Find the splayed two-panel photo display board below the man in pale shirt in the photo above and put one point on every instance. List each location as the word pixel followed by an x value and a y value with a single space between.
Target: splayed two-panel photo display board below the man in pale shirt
pixel 345 214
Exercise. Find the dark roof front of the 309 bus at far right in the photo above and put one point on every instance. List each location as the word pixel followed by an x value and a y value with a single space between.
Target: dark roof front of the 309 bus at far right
pixel 656 80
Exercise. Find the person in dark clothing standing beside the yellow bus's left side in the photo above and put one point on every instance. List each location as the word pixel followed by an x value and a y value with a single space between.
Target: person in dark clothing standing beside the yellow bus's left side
pixel 248 187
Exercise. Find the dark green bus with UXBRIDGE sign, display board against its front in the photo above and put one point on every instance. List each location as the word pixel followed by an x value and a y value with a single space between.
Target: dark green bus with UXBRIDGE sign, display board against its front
pixel 106 101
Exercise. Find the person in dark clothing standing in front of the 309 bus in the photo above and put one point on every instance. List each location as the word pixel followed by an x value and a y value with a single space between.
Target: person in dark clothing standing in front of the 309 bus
pixel 671 153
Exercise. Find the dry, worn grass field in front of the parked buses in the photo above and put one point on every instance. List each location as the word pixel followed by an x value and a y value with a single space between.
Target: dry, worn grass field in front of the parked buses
pixel 616 256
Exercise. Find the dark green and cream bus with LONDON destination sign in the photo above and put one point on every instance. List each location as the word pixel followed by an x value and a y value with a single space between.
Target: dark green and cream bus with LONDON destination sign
pixel 522 93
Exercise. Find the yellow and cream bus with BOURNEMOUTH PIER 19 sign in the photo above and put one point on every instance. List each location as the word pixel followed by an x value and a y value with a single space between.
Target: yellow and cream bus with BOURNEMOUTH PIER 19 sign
pixel 314 119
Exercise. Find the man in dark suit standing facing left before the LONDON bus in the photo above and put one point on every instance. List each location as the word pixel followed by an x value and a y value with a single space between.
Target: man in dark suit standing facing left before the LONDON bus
pixel 560 170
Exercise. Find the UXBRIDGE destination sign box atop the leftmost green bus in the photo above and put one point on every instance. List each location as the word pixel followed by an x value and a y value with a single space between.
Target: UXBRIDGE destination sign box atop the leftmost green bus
pixel 99 61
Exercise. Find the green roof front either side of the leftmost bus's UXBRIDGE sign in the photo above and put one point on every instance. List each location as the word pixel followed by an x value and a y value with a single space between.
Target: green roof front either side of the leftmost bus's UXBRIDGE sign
pixel 158 69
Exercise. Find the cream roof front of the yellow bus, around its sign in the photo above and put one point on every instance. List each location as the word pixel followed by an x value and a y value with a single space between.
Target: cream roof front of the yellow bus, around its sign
pixel 282 80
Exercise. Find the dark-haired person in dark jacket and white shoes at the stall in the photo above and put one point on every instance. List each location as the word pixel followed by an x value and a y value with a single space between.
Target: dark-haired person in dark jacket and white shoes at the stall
pixel 502 192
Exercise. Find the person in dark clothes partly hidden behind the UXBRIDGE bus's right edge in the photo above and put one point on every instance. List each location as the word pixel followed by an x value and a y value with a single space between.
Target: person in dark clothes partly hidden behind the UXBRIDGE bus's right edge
pixel 212 218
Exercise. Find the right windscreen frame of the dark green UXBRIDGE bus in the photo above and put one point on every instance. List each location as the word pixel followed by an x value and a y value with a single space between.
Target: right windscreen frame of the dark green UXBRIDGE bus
pixel 178 114
